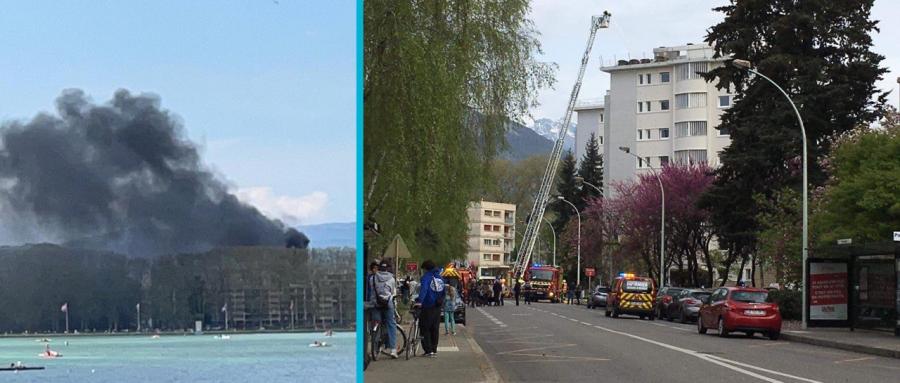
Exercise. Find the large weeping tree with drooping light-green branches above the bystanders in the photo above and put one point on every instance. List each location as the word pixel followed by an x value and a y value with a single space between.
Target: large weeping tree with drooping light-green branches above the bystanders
pixel 441 79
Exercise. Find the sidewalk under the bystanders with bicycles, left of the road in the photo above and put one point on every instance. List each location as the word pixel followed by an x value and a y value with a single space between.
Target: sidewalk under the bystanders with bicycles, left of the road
pixel 459 359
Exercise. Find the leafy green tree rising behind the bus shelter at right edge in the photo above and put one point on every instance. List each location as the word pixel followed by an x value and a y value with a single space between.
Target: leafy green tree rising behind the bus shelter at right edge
pixel 862 198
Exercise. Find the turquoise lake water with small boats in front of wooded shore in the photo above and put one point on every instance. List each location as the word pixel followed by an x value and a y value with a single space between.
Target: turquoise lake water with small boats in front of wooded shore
pixel 243 358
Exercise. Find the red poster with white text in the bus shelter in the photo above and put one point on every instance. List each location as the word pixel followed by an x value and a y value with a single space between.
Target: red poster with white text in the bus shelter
pixel 828 291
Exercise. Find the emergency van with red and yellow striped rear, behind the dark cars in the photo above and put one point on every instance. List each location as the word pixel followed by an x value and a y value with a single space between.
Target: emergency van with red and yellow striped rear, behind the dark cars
pixel 632 295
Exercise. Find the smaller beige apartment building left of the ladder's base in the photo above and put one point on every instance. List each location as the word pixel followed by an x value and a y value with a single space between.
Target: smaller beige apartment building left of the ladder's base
pixel 492 237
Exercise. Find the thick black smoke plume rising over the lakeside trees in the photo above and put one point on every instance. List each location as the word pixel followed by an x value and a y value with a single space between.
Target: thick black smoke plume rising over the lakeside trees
pixel 121 177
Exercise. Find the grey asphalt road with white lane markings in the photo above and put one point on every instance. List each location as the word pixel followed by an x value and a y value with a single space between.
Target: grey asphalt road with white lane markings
pixel 547 342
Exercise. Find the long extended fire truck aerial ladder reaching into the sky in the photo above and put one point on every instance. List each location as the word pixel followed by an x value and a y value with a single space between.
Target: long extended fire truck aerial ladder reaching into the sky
pixel 540 202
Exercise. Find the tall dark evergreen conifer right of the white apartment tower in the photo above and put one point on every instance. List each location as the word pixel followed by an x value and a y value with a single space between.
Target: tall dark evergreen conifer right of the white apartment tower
pixel 820 52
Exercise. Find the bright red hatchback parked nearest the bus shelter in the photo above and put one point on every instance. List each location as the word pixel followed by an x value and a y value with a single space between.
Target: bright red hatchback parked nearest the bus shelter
pixel 740 309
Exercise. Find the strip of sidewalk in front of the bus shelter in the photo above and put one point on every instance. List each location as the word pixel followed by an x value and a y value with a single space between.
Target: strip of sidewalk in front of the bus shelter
pixel 879 343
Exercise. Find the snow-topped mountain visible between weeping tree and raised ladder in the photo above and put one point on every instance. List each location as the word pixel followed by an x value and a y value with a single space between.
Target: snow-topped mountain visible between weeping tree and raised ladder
pixel 524 141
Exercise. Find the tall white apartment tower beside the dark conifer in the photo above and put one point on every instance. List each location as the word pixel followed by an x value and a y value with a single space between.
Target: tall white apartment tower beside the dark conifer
pixel 662 109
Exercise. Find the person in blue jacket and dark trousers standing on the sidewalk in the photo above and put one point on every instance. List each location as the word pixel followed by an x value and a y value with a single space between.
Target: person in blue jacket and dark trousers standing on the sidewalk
pixel 431 300
